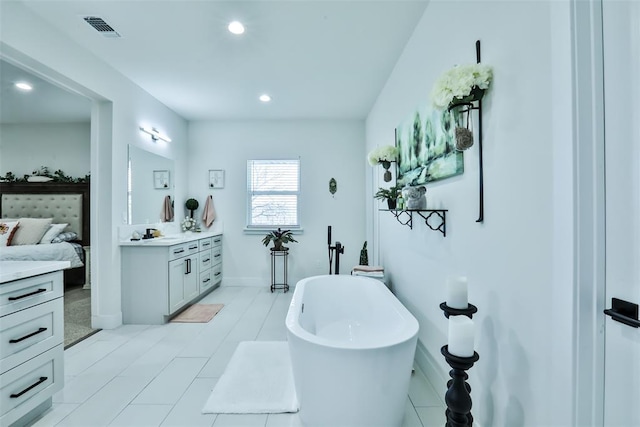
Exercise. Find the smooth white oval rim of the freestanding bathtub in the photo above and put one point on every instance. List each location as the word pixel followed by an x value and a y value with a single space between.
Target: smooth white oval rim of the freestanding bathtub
pixel 408 332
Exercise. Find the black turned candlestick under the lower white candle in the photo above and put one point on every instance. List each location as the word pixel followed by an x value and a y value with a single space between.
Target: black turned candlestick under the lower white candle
pixel 458 397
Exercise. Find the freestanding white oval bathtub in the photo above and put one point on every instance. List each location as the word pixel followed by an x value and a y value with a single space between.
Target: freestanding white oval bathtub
pixel 352 345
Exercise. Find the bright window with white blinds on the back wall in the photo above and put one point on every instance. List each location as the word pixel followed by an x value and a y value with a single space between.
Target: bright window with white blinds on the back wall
pixel 273 189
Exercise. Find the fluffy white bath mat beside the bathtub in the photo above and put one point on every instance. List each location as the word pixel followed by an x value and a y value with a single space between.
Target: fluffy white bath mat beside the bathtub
pixel 257 380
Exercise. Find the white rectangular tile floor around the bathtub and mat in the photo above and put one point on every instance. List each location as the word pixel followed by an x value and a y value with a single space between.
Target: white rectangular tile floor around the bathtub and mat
pixel 138 376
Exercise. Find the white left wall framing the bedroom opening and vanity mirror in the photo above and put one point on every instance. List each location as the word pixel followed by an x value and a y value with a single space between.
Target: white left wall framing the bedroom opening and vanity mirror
pixel 120 108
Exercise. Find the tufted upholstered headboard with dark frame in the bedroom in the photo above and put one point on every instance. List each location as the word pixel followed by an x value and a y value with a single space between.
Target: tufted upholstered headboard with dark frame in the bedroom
pixel 64 202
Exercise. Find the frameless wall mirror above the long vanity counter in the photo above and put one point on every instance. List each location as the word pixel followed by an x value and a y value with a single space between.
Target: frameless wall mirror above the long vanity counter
pixel 150 179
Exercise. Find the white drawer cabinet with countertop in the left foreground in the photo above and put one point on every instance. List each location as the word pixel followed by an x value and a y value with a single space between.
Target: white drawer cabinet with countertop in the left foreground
pixel 31 338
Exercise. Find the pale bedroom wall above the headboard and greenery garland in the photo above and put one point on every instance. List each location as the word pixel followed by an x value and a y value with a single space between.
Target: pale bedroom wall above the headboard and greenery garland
pixel 27 147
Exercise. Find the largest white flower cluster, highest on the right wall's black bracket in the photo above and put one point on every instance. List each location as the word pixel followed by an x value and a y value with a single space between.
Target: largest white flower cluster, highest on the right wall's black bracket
pixel 458 83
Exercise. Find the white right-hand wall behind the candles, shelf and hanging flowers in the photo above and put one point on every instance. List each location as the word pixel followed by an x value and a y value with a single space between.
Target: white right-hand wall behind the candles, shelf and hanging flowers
pixel 519 260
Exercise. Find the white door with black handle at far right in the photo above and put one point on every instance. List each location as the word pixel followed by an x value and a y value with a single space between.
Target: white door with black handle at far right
pixel 621 45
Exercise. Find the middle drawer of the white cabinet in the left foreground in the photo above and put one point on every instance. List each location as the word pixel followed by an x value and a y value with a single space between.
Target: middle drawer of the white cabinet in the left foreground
pixel 29 332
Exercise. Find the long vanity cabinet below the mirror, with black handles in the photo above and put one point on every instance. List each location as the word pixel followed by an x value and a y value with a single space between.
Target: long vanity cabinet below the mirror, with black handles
pixel 162 276
